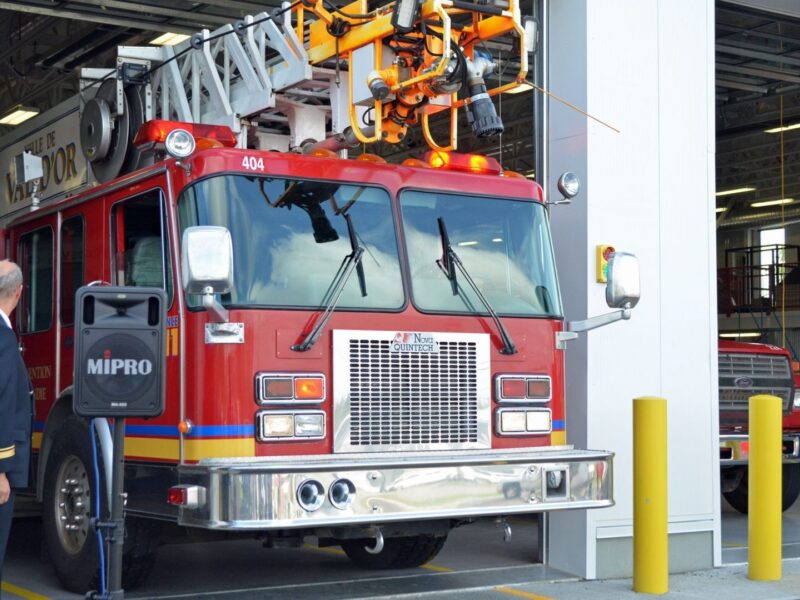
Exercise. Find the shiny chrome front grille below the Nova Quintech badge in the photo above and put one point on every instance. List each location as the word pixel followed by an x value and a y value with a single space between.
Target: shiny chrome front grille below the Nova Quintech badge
pixel 410 400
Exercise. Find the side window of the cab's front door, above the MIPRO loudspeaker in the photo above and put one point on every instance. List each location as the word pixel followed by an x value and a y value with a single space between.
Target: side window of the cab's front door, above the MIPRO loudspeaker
pixel 141 251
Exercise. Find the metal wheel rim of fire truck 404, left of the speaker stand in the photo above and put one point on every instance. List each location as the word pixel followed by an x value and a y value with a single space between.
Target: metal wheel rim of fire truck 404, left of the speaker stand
pixel 73 504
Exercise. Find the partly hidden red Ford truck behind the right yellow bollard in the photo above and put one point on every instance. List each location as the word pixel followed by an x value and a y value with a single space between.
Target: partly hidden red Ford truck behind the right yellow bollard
pixel 747 369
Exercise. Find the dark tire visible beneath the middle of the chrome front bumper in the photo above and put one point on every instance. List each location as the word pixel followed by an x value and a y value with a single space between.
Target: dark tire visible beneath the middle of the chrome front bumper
pixel 397 553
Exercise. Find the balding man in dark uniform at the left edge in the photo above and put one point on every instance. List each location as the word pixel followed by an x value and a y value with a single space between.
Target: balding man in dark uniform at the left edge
pixel 16 408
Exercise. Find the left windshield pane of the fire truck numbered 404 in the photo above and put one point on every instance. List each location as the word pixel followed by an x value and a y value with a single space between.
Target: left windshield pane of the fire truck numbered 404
pixel 290 238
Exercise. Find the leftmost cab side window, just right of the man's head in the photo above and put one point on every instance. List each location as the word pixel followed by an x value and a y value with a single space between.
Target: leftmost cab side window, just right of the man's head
pixel 36 262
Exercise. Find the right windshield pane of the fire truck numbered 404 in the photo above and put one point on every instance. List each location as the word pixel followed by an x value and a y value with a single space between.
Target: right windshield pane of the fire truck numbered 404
pixel 504 245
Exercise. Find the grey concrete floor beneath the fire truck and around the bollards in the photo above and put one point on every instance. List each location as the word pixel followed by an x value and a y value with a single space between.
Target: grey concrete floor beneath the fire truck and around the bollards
pixel 475 563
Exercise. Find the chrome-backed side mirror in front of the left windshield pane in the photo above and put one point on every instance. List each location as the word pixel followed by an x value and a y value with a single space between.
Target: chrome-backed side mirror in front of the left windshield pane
pixel 207 260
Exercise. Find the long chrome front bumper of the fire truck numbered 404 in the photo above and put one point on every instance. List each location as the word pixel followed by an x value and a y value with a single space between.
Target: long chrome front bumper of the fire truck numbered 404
pixel 262 494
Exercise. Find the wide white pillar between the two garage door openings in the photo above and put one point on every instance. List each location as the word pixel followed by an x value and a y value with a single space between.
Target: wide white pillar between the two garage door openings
pixel 646 67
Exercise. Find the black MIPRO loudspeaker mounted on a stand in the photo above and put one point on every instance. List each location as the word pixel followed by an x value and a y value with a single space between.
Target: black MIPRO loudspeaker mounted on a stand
pixel 120 356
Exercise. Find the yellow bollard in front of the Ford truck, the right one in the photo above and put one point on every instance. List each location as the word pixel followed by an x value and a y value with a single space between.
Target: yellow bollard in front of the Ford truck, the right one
pixel 764 489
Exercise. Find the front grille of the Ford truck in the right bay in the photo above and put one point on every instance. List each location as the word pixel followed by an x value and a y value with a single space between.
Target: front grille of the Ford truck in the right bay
pixel 745 375
